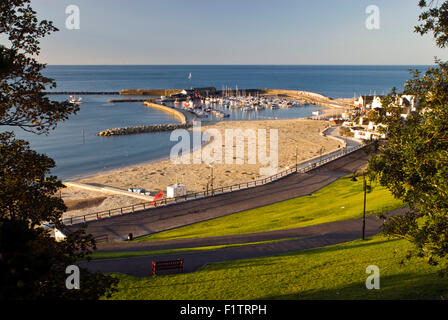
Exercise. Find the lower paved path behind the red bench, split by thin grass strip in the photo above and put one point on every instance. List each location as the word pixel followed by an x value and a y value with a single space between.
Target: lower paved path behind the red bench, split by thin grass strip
pixel 312 237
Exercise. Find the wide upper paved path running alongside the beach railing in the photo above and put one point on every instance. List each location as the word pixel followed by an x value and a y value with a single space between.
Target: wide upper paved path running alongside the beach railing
pixel 177 215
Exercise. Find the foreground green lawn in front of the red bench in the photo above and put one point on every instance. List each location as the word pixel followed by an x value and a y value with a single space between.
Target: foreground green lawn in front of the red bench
pixel 334 272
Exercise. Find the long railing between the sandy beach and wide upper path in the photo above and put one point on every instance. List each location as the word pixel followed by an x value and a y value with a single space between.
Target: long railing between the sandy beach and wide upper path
pixel 300 168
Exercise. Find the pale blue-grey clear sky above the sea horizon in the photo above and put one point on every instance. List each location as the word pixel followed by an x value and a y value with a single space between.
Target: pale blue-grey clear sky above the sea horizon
pixel 280 32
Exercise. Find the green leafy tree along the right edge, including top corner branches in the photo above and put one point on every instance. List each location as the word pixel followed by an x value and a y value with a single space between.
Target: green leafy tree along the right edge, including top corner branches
pixel 413 163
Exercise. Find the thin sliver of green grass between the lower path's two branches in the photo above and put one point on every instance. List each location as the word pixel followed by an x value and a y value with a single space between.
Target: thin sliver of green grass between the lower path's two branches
pixel 129 254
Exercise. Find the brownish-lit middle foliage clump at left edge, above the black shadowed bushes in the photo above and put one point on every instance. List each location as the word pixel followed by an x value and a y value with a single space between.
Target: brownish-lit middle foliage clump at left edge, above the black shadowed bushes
pixel 27 192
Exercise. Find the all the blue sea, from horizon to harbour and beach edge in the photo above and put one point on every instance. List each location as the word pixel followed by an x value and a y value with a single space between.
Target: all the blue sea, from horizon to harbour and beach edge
pixel 78 152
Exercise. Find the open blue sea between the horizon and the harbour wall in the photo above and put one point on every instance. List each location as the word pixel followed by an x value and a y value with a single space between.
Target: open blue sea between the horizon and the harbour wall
pixel 333 81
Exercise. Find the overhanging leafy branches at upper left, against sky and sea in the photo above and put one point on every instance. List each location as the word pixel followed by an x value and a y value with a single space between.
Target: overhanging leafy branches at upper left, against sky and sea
pixel 22 99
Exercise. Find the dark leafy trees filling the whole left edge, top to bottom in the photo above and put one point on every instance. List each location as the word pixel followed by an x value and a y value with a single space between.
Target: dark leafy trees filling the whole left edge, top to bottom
pixel 32 263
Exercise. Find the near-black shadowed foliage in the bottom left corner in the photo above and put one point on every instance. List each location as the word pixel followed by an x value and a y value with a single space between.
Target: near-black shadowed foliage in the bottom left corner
pixel 32 265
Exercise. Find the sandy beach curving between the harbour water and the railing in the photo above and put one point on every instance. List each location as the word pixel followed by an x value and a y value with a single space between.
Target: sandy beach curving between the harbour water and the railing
pixel 293 134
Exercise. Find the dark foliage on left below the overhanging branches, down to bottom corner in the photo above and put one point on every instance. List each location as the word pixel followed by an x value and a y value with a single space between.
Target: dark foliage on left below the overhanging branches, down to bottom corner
pixel 32 263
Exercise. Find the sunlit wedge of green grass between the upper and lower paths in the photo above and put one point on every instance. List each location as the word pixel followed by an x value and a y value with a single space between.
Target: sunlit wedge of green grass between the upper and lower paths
pixel 340 200
